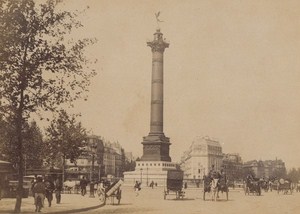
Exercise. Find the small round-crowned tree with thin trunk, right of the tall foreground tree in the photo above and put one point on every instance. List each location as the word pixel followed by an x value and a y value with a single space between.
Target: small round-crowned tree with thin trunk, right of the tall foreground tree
pixel 66 138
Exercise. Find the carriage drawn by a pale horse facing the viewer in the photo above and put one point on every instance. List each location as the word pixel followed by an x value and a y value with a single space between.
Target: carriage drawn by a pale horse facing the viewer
pixel 214 186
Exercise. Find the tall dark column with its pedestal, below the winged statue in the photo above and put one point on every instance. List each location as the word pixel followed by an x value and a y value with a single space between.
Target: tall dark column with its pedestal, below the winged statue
pixel 156 145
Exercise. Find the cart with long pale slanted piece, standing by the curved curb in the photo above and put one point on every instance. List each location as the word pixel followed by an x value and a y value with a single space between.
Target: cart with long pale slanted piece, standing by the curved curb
pixel 112 192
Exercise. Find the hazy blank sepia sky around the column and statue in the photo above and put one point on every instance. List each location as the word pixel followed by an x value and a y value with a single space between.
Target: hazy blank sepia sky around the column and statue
pixel 231 72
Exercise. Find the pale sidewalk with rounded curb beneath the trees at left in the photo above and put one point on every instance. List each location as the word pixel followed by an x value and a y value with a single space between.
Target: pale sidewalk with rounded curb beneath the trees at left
pixel 70 203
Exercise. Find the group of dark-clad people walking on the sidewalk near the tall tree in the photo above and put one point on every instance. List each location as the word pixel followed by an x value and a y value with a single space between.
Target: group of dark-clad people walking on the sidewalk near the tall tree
pixel 44 188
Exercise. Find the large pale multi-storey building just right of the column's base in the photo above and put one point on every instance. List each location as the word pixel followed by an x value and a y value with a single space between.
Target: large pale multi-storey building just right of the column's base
pixel 201 155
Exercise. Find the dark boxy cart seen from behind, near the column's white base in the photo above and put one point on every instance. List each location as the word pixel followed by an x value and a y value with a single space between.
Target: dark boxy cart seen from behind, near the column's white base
pixel 174 184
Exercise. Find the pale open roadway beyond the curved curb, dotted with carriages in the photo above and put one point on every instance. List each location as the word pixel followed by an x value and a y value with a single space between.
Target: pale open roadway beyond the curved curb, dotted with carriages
pixel 151 201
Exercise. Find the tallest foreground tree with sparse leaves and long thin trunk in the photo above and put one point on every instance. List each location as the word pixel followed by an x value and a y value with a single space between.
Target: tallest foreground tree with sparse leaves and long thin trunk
pixel 39 69
